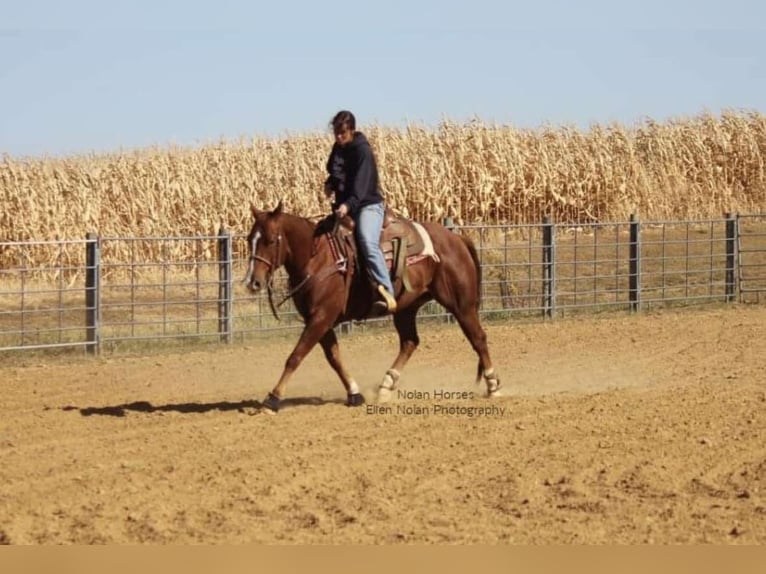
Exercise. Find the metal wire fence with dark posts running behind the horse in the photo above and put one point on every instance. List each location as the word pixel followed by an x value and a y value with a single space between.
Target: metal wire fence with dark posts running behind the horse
pixel 110 292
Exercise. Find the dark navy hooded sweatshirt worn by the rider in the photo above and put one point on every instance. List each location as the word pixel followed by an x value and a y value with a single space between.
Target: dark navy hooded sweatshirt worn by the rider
pixel 354 174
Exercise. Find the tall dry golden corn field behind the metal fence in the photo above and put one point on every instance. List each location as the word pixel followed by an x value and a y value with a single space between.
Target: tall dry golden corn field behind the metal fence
pixel 692 167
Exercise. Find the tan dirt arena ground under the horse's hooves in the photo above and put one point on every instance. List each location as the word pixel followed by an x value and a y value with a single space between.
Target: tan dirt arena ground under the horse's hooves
pixel 613 429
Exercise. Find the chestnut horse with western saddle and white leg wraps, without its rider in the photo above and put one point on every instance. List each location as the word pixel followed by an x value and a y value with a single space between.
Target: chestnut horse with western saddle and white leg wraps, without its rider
pixel 328 287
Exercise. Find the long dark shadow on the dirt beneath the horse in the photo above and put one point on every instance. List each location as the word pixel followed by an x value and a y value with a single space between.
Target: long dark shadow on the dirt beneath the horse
pixel 195 408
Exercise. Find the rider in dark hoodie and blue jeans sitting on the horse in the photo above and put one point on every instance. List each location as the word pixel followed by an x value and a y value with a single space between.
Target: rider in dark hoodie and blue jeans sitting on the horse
pixel 354 181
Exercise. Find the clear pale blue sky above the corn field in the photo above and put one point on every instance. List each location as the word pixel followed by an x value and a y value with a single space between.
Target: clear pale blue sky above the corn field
pixel 81 76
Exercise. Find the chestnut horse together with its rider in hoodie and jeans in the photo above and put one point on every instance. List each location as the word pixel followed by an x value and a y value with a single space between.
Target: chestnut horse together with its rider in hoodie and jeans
pixel 322 285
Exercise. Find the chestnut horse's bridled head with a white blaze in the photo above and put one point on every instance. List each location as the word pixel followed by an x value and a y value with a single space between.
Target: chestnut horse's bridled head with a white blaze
pixel 267 249
